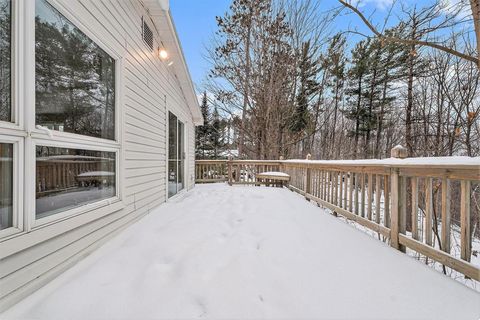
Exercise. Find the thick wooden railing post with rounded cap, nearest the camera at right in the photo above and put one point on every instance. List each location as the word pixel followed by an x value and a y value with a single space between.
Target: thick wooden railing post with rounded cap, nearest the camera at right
pixel 399 201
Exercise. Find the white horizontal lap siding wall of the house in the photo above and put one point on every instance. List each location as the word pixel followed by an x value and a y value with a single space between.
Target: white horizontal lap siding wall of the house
pixel 148 90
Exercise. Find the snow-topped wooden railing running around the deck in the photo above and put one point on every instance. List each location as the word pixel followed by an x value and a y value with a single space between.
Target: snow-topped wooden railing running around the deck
pixel 408 201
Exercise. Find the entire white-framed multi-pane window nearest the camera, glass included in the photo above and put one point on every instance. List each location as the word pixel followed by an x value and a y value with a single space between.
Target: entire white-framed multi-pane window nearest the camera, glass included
pixel 59 147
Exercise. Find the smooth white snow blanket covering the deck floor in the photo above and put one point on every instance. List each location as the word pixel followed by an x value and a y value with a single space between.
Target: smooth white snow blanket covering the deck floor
pixel 247 252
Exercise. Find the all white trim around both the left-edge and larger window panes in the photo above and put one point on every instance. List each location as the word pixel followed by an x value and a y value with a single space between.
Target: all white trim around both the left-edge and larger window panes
pixel 25 136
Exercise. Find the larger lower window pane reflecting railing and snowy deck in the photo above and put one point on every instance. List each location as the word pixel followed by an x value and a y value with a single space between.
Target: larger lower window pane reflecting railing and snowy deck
pixel 69 178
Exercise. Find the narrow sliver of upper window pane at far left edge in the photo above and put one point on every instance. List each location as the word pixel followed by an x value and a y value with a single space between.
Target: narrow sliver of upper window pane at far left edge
pixel 5 61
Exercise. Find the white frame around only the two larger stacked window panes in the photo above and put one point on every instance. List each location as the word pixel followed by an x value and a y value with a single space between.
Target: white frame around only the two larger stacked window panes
pixel 70 140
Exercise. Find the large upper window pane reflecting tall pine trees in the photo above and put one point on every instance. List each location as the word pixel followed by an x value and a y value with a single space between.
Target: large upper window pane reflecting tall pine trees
pixel 75 78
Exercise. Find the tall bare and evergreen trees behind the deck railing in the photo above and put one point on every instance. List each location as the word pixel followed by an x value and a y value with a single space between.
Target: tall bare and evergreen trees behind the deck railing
pixel 289 85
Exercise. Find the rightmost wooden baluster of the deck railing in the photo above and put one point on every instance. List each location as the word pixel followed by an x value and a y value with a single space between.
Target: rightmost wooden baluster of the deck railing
pixel 465 234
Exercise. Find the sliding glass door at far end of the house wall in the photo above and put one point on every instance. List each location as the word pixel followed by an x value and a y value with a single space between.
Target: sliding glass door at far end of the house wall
pixel 176 155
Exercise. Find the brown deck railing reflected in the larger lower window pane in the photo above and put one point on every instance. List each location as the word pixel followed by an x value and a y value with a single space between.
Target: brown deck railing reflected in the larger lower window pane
pixel 60 173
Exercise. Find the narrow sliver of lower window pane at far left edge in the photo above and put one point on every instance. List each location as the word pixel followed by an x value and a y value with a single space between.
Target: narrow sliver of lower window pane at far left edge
pixel 6 185
